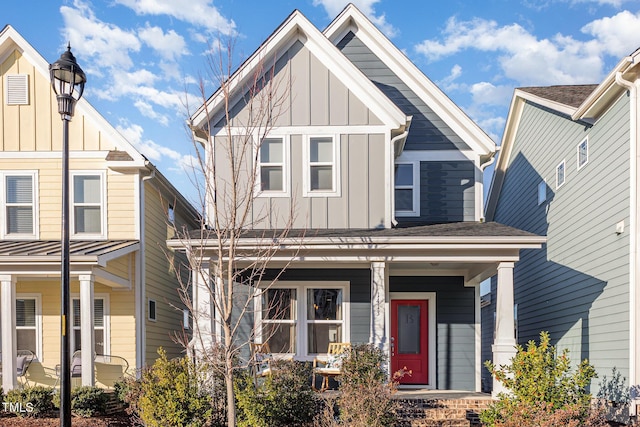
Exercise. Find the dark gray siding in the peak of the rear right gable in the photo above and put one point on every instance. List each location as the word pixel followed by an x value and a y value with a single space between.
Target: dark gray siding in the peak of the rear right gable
pixel 428 131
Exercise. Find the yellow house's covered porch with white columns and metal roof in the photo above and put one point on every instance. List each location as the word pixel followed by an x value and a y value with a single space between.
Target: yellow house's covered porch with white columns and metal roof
pixel 102 274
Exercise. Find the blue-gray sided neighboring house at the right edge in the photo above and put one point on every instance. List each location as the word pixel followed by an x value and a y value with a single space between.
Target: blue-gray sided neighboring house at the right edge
pixel 568 169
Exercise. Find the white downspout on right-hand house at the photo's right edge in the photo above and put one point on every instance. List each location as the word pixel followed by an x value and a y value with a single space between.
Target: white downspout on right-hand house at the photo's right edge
pixel 633 229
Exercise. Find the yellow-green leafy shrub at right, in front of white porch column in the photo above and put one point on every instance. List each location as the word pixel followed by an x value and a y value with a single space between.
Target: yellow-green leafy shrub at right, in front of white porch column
pixel 540 378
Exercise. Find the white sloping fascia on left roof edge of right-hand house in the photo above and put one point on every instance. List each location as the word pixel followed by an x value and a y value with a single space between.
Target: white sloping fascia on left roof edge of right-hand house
pixel 504 155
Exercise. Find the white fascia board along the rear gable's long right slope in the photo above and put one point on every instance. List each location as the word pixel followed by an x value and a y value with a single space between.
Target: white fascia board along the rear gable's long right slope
pixel 352 19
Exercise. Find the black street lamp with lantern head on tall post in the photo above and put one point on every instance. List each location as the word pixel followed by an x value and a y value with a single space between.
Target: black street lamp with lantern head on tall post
pixel 67 80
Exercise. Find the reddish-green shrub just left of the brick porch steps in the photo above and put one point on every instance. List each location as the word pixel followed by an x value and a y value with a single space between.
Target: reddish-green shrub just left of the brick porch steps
pixel 365 396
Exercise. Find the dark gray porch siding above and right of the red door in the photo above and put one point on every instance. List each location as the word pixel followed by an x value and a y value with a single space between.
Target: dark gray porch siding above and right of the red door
pixel 455 318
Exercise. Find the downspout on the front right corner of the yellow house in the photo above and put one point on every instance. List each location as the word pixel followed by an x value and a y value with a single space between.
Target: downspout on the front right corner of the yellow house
pixel 141 289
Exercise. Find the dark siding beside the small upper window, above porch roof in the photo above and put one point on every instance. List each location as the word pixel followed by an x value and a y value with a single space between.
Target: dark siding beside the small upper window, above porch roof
pixel 447 193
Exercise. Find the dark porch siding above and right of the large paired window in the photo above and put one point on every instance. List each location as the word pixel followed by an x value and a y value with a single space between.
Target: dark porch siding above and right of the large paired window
pixel 360 293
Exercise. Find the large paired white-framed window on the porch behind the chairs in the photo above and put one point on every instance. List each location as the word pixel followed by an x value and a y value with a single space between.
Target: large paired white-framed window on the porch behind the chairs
pixel 302 319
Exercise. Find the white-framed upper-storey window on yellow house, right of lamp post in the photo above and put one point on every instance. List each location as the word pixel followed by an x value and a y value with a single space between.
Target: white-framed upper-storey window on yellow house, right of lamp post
pixel 88 196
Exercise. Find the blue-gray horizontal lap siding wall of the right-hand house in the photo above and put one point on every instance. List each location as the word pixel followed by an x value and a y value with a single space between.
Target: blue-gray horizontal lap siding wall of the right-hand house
pixel 577 287
